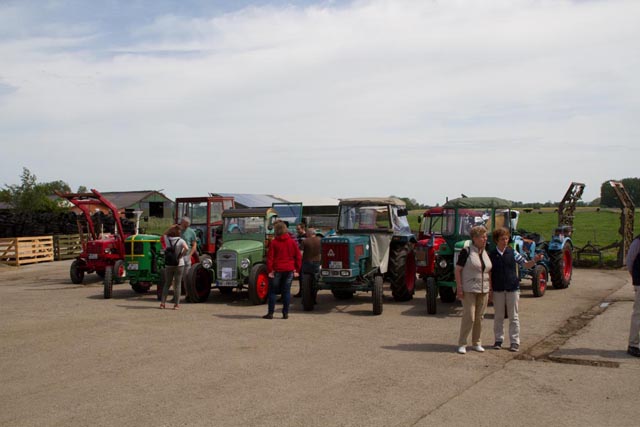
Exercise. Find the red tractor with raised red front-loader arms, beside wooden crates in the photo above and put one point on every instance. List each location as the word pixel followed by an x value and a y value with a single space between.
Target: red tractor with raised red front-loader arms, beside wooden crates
pixel 102 243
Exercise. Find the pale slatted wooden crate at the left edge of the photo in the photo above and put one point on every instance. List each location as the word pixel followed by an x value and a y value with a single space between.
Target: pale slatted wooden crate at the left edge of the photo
pixel 26 250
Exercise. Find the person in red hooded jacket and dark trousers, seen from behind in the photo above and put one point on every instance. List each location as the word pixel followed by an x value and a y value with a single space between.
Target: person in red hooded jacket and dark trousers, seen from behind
pixel 283 264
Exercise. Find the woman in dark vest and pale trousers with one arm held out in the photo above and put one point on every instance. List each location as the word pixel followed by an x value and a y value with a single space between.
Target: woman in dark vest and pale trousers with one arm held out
pixel 506 287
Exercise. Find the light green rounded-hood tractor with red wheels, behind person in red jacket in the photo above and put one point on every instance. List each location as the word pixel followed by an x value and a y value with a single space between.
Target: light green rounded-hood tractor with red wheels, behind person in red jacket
pixel 241 260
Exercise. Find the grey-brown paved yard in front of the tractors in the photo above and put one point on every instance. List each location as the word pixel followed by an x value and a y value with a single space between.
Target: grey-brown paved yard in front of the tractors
pixel 70 358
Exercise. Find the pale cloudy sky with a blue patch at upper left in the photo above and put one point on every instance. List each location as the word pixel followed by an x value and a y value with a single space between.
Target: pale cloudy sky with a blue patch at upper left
pixel 416 98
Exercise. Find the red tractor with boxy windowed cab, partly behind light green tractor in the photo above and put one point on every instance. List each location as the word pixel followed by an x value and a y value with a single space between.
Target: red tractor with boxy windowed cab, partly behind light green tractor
pixel 206 220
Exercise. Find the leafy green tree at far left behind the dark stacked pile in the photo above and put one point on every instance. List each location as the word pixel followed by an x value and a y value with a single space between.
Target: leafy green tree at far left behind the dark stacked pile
pixel 31 196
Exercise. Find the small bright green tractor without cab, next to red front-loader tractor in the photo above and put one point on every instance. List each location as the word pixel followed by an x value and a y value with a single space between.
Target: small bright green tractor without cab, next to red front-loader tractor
pixel 143 263
